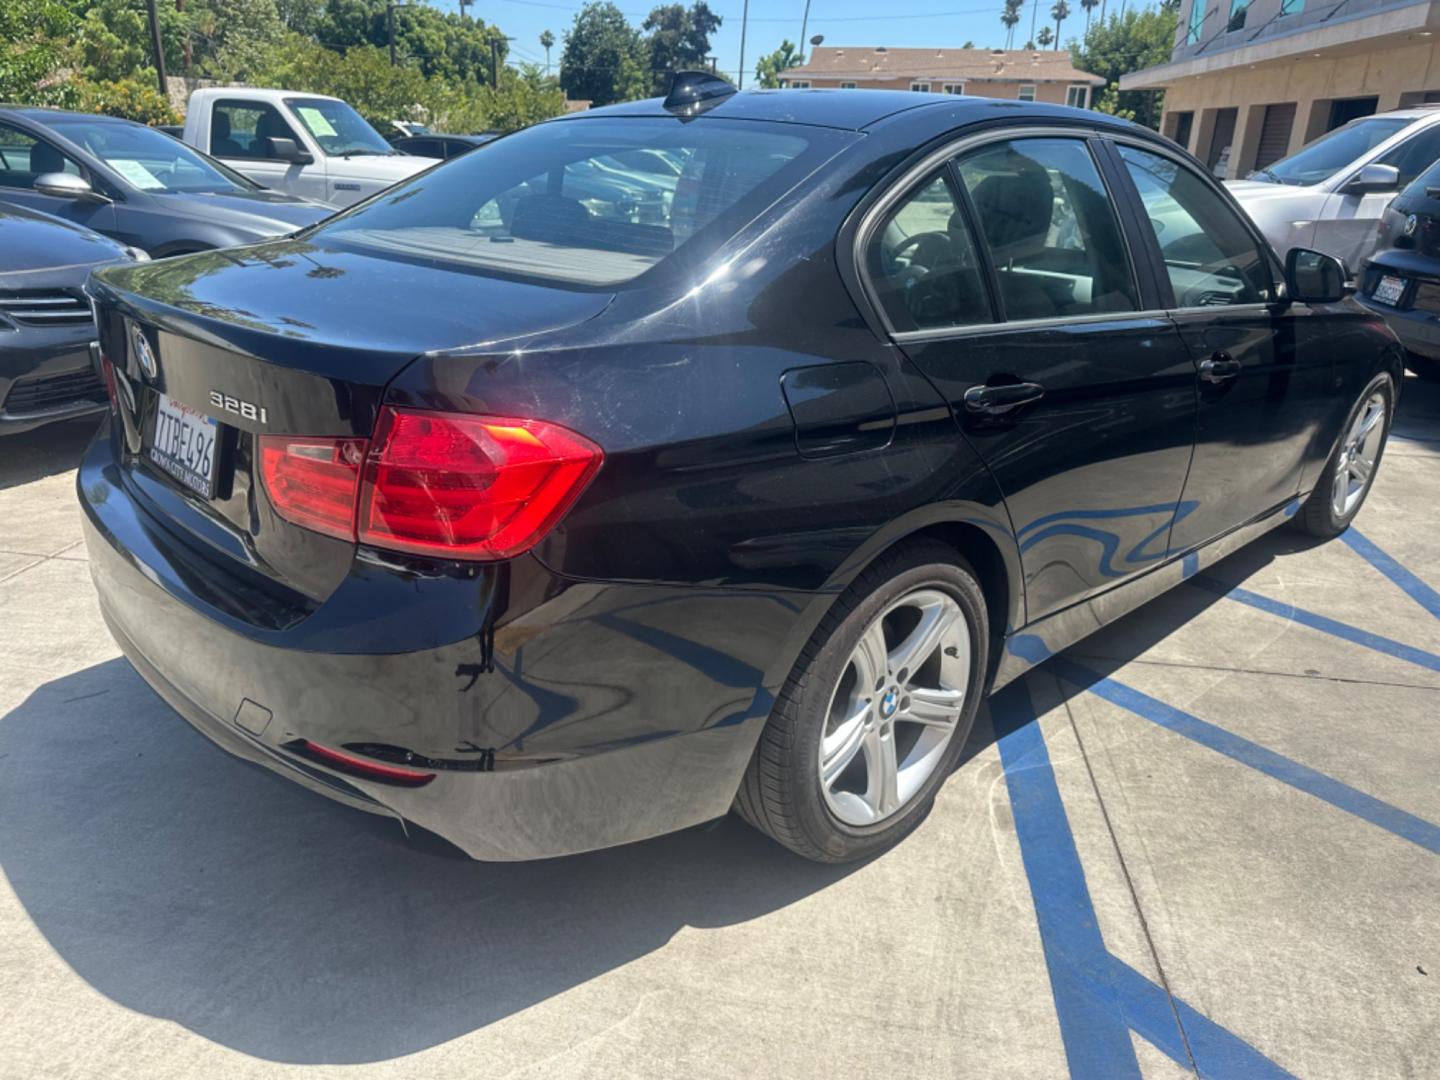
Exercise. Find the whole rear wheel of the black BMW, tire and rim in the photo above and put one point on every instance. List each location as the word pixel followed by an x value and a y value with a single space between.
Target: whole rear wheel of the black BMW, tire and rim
pixel 876 711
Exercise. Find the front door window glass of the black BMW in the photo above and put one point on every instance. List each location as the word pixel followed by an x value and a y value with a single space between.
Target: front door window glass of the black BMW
pixel 1210 257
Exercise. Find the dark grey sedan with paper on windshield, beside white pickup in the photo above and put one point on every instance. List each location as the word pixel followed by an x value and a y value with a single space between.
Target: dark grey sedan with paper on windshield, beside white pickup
pixel 138 185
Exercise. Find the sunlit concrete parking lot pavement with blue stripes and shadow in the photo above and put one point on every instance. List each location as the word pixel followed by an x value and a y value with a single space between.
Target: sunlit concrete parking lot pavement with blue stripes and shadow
pixel 1206 840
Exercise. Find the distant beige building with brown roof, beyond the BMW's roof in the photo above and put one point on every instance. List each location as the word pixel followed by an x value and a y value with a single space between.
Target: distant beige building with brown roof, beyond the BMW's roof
pixel 1016 74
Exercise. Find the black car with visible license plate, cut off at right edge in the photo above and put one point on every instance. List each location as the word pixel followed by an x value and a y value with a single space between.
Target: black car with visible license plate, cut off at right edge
pixel 1403 280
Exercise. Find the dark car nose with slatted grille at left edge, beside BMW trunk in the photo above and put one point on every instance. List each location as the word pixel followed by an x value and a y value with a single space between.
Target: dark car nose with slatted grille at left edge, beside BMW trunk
pixel 47 330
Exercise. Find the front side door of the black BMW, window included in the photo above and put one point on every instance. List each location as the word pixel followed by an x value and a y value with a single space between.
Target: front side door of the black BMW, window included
pixel 1261 371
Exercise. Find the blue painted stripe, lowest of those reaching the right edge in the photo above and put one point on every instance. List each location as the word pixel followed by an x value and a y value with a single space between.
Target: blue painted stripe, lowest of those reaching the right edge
pixel 1275 765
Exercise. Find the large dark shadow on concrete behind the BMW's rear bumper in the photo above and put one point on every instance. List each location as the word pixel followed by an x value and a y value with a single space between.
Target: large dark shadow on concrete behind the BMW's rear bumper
pixel 293 930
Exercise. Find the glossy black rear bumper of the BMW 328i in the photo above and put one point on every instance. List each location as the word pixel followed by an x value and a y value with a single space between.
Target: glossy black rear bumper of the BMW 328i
pixel 611 714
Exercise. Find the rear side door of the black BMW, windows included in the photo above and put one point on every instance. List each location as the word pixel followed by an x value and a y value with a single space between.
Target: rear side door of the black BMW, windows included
pixel 1038 330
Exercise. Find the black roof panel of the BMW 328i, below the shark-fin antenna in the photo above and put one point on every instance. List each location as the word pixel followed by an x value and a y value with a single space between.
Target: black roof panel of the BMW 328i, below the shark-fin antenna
pixel 852 110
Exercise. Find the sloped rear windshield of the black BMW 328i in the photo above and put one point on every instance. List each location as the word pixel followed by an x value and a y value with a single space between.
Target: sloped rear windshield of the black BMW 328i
pixel 590 204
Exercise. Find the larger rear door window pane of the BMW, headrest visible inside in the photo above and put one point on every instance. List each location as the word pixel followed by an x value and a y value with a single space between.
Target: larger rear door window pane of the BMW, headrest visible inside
pixel 1050 227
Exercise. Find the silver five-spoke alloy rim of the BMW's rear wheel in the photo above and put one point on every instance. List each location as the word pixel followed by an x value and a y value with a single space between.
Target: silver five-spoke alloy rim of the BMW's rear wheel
pixel 896 708
